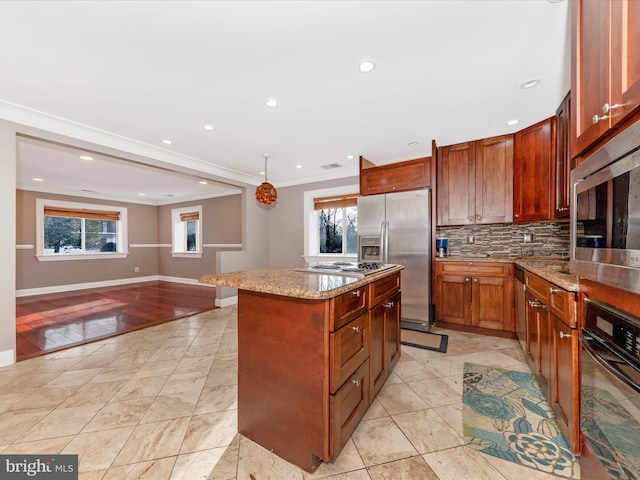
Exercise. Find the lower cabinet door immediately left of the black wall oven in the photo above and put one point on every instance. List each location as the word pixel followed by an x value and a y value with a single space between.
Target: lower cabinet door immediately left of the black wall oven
pixel 564 378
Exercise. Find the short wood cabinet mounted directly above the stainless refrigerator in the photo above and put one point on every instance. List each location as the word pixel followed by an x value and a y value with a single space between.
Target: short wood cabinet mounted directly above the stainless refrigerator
pixel 394 177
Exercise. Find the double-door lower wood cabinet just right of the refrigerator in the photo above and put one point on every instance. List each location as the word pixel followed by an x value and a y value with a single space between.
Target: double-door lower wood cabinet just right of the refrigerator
pixel 475 294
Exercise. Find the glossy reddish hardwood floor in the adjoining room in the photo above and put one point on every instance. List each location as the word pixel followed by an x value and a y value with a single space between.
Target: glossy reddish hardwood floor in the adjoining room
pixel 46 323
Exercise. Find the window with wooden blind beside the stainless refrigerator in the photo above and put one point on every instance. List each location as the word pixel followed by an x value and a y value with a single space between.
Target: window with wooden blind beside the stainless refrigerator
pixel 337 224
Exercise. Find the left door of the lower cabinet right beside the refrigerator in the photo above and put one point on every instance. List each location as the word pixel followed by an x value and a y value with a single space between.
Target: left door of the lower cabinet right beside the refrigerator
pixel 453 299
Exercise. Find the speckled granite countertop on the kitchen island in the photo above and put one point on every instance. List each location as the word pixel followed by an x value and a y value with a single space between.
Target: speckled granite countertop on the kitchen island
pixel 287 282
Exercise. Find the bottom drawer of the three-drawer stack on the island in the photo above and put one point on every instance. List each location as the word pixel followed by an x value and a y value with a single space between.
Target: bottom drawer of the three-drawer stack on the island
pixel 348 406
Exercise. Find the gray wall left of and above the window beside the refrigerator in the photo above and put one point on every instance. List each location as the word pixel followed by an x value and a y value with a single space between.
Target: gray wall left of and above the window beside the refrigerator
pixel 286 221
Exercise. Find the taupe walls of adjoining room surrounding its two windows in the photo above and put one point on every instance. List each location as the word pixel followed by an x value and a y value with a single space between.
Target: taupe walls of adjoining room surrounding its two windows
pixel 148 225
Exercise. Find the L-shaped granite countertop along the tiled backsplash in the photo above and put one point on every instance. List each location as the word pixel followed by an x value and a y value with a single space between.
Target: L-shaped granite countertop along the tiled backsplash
pixel 552 269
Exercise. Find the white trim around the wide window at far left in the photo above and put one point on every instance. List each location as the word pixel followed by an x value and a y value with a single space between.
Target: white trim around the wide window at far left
pixel 122 235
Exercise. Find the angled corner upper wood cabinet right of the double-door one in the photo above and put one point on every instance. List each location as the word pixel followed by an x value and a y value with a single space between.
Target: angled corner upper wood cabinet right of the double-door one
pixel 534 149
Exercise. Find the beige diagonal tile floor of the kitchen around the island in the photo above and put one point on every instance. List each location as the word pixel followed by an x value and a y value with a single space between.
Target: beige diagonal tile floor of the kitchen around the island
pixel 160 404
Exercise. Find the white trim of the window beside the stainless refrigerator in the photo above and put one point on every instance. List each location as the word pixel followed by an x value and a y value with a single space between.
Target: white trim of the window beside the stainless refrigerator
pixel 311 244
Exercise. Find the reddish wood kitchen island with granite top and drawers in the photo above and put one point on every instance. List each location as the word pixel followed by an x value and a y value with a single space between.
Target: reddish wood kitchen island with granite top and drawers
pixel 313 351
